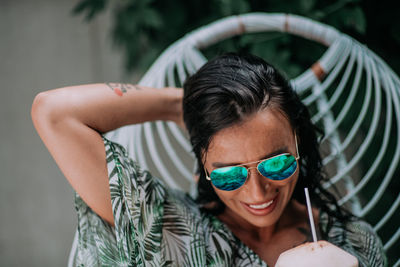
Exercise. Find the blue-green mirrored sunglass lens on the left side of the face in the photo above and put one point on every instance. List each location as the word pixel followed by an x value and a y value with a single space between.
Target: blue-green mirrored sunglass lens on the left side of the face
pixel 228 178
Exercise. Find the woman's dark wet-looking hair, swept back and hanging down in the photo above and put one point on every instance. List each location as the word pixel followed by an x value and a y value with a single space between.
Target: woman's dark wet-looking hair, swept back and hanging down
pixel 228 89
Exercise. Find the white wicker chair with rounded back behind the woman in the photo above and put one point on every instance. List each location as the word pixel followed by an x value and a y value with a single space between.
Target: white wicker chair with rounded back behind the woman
pixel 163 148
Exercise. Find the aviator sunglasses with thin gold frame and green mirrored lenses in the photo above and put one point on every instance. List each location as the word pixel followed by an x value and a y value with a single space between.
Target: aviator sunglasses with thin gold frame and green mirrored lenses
pixel 276 168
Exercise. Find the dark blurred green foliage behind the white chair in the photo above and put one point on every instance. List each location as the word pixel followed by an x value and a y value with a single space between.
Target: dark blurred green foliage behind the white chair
pixel 142 29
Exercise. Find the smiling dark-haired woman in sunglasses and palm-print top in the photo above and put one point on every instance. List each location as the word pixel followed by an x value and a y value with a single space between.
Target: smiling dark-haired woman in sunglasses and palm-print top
pixel 256 150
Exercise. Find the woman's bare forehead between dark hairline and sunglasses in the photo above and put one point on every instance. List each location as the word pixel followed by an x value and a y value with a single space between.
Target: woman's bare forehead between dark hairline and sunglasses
pixel 264 132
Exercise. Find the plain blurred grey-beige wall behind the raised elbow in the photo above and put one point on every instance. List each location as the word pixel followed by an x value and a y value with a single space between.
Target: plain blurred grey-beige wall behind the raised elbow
pixel 42 46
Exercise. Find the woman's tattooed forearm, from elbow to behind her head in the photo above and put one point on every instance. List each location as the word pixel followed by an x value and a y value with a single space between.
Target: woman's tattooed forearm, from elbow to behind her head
pixel 105 107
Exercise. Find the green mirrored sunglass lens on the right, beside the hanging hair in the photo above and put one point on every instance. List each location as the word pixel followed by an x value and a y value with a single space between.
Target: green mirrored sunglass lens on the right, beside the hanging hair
pixel 278 168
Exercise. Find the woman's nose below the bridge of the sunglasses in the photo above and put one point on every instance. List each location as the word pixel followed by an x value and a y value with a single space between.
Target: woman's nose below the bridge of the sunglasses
pixel 256 185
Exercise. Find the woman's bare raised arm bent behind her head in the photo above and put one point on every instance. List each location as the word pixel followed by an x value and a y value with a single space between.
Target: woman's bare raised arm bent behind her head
pixel 70 120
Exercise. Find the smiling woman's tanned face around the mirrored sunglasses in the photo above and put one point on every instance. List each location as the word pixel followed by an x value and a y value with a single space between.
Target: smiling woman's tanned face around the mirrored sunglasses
pixel 259 201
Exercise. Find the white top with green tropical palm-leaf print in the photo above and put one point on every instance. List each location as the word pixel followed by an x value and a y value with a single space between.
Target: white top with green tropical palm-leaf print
pixel 157 226
